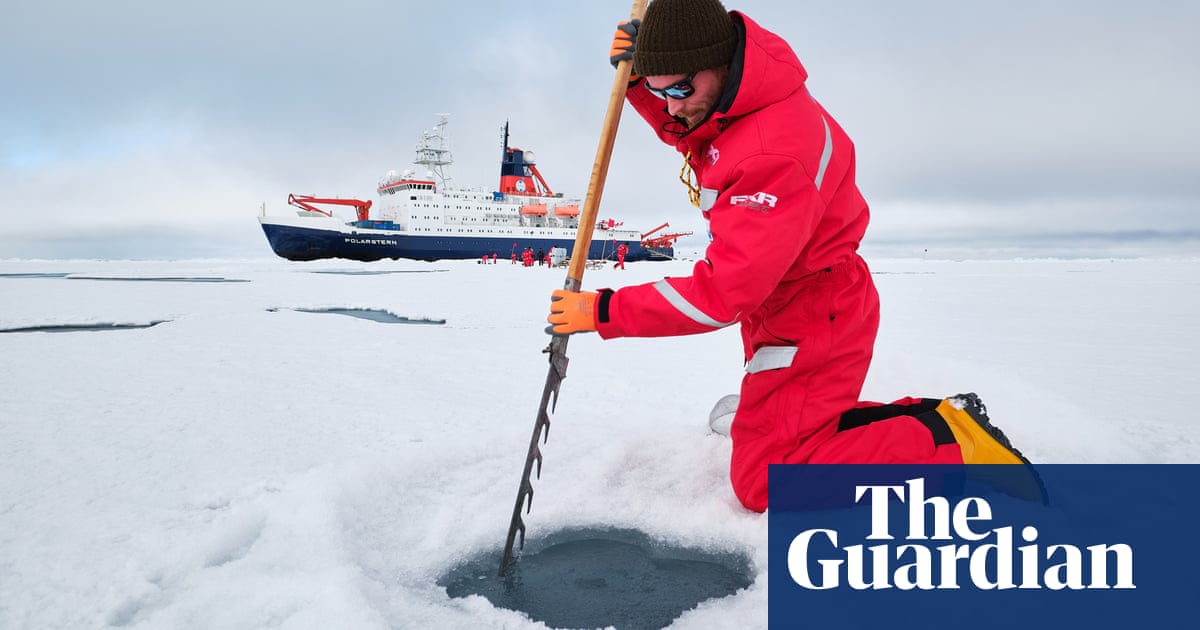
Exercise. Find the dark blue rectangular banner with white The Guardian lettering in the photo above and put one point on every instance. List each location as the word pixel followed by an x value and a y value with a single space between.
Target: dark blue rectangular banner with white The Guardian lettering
pixel 975 548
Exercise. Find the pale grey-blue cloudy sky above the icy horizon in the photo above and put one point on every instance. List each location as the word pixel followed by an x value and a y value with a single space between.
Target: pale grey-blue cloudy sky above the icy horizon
pixel 137 129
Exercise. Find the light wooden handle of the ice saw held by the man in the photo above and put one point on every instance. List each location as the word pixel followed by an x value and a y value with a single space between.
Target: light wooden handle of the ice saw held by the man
pixel 601 167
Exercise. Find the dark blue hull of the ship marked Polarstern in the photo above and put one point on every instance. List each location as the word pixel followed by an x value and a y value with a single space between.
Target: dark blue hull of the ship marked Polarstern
pixel 314 244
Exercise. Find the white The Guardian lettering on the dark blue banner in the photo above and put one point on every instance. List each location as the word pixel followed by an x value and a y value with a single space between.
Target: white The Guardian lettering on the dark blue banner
pixel 950 547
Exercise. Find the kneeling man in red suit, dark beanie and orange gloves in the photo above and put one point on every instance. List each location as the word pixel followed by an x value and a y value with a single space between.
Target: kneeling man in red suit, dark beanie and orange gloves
pixel 775 178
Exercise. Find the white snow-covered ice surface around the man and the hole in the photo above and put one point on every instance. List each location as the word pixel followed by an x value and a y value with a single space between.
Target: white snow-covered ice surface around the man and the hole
pixel 248 465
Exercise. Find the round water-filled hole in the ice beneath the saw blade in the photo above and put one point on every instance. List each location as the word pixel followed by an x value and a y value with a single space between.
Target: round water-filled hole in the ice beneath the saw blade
pixel 591 578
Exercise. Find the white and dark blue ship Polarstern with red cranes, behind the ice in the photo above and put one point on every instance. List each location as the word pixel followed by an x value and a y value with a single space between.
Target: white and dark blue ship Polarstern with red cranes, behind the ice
pixel 424 219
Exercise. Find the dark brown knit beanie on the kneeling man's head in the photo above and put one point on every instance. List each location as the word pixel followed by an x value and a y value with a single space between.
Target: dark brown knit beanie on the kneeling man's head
pixel 682 37
